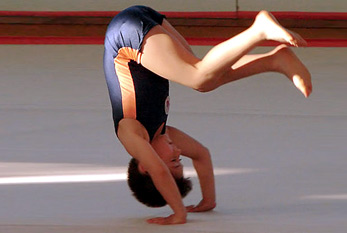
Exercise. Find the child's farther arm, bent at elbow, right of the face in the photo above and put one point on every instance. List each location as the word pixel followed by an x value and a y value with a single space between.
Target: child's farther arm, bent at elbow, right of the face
pixel 203 165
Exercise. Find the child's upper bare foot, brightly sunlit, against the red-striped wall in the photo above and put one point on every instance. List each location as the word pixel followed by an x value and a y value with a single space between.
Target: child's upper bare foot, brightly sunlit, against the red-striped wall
pixel 270 28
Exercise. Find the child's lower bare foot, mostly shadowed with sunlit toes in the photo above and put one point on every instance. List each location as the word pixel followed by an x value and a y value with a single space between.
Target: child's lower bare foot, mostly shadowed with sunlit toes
pixel 286 62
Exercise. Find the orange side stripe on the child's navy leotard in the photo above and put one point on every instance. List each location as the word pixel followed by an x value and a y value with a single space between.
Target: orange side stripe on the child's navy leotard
pixel 125 79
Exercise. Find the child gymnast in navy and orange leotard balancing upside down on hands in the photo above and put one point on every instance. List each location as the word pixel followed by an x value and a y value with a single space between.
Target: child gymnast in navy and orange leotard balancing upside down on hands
pixel 143 52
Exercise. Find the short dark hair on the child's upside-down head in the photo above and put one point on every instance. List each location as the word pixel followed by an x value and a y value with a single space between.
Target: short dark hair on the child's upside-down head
pixel 144 190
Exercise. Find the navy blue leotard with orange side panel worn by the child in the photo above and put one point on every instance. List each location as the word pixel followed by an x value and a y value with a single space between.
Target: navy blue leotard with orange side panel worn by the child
pixel 135 91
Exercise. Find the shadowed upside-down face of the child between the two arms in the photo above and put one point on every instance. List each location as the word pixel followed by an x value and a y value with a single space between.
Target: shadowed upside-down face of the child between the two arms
pixel 169 153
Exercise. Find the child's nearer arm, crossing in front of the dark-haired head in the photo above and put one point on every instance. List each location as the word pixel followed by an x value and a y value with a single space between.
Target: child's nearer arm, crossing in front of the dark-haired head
pixel 134 138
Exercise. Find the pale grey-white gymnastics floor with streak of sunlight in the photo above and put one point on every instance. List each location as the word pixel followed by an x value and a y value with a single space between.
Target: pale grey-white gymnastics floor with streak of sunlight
pixel 280 159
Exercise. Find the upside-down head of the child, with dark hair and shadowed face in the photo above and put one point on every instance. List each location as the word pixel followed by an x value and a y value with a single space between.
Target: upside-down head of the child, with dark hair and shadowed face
pixel 141 183
